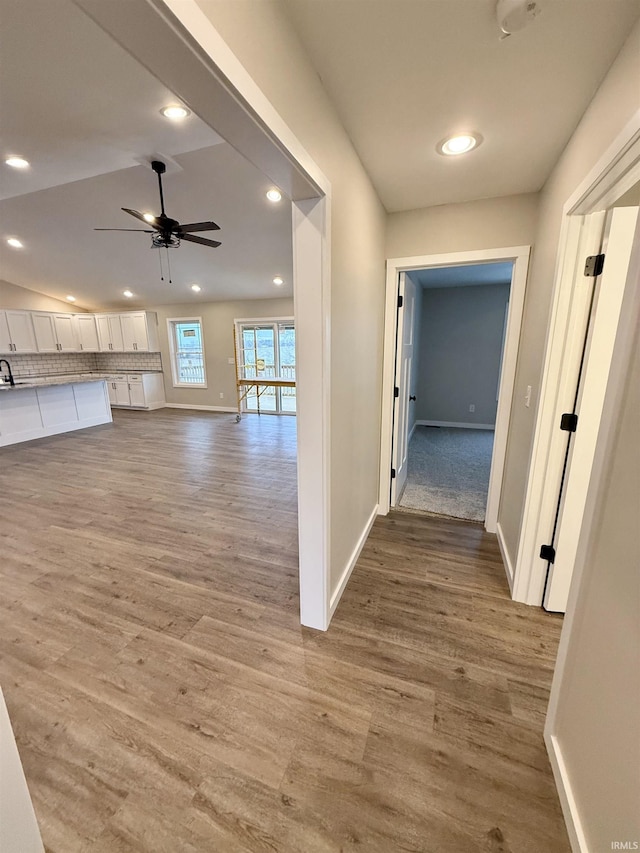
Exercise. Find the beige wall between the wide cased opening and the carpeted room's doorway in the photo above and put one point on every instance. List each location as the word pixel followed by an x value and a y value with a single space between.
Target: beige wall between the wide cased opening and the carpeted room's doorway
pixel 262 38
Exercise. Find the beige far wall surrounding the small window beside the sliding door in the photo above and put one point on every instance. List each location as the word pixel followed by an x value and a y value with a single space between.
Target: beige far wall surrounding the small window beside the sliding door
pixel 217 328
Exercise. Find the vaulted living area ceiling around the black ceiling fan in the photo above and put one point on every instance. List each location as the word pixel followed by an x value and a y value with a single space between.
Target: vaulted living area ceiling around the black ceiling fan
pixel 85 115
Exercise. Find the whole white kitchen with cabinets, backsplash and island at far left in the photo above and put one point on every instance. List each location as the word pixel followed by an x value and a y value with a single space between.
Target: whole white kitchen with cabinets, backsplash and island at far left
pixel 65 371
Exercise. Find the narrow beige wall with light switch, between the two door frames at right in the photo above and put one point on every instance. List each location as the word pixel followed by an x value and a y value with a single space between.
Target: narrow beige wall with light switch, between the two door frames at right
pixel 617 99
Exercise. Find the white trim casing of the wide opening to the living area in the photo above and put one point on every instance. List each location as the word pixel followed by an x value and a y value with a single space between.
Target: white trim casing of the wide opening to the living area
pixel 176 42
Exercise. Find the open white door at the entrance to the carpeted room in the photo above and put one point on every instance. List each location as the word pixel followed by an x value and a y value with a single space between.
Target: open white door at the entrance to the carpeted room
pixel 404 361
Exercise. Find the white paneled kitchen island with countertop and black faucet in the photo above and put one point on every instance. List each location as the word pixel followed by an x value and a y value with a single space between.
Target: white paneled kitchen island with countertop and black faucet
pixel 40 407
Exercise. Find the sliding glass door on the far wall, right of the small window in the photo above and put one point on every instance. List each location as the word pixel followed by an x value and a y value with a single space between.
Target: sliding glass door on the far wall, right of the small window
pixel 267 348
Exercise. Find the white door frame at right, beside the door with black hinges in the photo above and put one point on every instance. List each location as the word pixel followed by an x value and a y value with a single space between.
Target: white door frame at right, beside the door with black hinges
pixel 617 171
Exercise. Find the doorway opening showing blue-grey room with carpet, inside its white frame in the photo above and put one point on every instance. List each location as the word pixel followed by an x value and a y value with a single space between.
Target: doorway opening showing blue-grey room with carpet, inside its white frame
pixel 458 324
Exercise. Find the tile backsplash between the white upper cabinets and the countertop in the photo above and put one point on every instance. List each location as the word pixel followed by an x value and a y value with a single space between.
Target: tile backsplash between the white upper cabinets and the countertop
pixel 54 364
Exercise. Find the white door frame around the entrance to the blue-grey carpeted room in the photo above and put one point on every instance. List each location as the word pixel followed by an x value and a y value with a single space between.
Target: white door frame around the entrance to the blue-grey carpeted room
pixel 519 255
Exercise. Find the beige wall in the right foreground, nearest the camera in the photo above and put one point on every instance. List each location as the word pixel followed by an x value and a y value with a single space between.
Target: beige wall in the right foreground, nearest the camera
pixel 598 700
